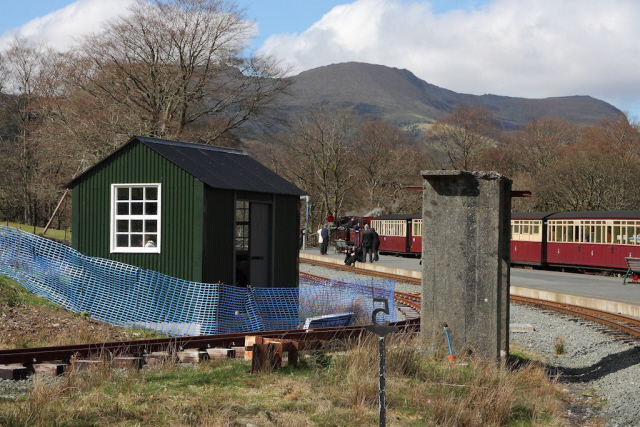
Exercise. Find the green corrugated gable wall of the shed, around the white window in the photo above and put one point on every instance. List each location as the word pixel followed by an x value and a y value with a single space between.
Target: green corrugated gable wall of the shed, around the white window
pixel 181 212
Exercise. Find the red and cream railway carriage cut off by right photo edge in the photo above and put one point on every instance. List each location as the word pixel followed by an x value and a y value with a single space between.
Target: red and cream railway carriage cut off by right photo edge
pixel 594 239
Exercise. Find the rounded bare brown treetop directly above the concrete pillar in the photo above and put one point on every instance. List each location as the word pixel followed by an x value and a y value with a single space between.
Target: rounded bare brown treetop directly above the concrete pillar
pixel 463 134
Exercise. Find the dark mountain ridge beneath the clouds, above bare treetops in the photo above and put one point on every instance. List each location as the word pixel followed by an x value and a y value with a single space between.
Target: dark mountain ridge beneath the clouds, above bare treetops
pixel 404 99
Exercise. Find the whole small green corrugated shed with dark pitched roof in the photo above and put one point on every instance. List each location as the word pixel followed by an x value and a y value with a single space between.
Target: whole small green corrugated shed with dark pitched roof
pixel 196 212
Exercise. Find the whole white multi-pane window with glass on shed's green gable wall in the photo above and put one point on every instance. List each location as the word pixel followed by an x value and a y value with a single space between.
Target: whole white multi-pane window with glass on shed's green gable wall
pixel 135 219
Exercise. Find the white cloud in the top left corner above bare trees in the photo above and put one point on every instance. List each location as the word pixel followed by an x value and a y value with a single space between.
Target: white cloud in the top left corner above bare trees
pixel 61 27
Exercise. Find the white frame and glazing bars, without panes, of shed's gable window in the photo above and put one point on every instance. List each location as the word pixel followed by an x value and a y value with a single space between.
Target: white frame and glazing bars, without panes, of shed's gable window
pixel 115 217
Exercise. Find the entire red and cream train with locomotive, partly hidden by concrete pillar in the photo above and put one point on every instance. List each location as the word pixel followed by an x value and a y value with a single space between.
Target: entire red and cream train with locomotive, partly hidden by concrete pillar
pixel 591 240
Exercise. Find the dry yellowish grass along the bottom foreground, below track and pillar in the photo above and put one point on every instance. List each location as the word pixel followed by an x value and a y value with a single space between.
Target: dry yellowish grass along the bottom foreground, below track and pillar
pixel 421 390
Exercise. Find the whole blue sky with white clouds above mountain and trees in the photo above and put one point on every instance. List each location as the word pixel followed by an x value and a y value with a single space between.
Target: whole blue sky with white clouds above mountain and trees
pixel 523 48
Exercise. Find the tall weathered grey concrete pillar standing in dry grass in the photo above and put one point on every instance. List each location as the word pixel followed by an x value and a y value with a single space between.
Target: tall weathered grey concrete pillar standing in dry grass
pixel 465 261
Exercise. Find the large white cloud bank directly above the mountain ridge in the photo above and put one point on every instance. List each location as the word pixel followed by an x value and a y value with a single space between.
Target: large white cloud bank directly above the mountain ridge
pixel 529 48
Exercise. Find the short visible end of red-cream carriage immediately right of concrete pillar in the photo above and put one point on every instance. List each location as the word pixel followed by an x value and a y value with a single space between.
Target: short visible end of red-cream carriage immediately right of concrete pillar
pixel 528 234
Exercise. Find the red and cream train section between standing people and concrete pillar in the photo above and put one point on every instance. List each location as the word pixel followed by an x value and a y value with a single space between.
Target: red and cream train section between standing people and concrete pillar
pixel 399 233
